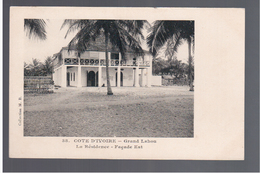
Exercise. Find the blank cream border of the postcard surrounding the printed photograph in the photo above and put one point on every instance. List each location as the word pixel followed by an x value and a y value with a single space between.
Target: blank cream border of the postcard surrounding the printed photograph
pixel 219 92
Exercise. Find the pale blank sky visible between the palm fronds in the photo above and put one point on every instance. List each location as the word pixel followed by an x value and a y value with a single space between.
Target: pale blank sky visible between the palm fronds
pixel 41 49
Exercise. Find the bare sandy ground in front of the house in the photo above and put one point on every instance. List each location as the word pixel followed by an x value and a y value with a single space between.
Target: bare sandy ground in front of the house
pixel 130 112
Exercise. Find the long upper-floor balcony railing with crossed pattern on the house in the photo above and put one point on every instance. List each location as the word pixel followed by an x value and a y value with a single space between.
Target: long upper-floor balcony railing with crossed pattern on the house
pixel 102 62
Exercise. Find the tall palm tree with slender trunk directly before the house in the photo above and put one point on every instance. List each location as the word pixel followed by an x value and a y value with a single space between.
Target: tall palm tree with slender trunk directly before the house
pixel 122 34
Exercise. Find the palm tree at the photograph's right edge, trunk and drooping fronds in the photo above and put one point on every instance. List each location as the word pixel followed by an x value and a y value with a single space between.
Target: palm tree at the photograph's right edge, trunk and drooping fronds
pixel 172 32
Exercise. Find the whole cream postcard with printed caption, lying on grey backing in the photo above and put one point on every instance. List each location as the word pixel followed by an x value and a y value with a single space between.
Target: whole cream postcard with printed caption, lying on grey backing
pixel 127 83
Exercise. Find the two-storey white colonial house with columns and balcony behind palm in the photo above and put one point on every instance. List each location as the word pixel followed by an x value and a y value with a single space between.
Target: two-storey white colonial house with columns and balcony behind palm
pixel 89 68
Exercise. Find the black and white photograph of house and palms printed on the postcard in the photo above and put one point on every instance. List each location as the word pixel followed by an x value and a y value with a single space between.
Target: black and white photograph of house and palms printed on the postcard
pixel 109 78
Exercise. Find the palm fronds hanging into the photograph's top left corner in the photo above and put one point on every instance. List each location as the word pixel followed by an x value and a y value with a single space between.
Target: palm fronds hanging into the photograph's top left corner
pixel 35 28
